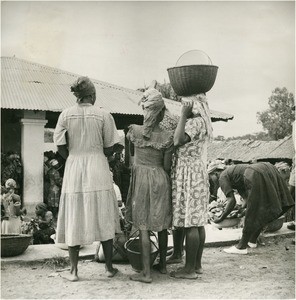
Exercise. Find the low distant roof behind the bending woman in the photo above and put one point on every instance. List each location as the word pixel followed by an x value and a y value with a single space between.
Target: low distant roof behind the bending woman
pixel 247 150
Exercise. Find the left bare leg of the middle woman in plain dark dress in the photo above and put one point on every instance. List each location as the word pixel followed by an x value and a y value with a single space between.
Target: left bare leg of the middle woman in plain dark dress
pixel 145 275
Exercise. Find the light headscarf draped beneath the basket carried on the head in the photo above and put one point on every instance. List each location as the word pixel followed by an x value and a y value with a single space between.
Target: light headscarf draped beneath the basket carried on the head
pixel 201 106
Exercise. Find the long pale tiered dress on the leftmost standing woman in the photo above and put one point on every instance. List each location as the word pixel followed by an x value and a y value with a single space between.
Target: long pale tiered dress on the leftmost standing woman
pixel 88 209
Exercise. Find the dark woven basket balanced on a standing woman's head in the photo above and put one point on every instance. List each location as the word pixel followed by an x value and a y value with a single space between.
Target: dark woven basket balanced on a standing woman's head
pixel 193 79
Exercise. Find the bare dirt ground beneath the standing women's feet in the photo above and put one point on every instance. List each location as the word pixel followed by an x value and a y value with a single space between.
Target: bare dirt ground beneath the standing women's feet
pixel 267 272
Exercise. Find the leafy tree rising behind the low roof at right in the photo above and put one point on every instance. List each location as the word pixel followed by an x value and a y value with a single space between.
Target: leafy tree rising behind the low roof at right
pixel 277 120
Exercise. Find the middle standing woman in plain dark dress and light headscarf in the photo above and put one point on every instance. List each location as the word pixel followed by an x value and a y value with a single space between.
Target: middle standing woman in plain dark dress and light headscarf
pixel 149 198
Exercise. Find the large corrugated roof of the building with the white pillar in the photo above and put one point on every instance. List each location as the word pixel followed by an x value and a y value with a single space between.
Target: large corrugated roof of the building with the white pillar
pixel 32 86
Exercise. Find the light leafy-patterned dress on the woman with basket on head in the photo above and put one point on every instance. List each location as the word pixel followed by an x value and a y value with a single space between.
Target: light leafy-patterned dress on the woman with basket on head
pixel 190 184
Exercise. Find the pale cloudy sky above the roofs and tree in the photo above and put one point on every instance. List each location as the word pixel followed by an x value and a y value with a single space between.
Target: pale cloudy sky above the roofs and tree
pixel 132 43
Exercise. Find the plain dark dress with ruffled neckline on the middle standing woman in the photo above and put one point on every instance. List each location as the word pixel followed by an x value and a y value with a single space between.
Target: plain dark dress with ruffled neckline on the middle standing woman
pixel 149 197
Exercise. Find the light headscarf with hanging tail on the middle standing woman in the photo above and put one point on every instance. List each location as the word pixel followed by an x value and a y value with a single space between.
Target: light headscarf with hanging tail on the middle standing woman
pixel 152 104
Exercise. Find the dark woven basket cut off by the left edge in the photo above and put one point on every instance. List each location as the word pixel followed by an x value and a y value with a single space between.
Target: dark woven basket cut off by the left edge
pixel 14 244
